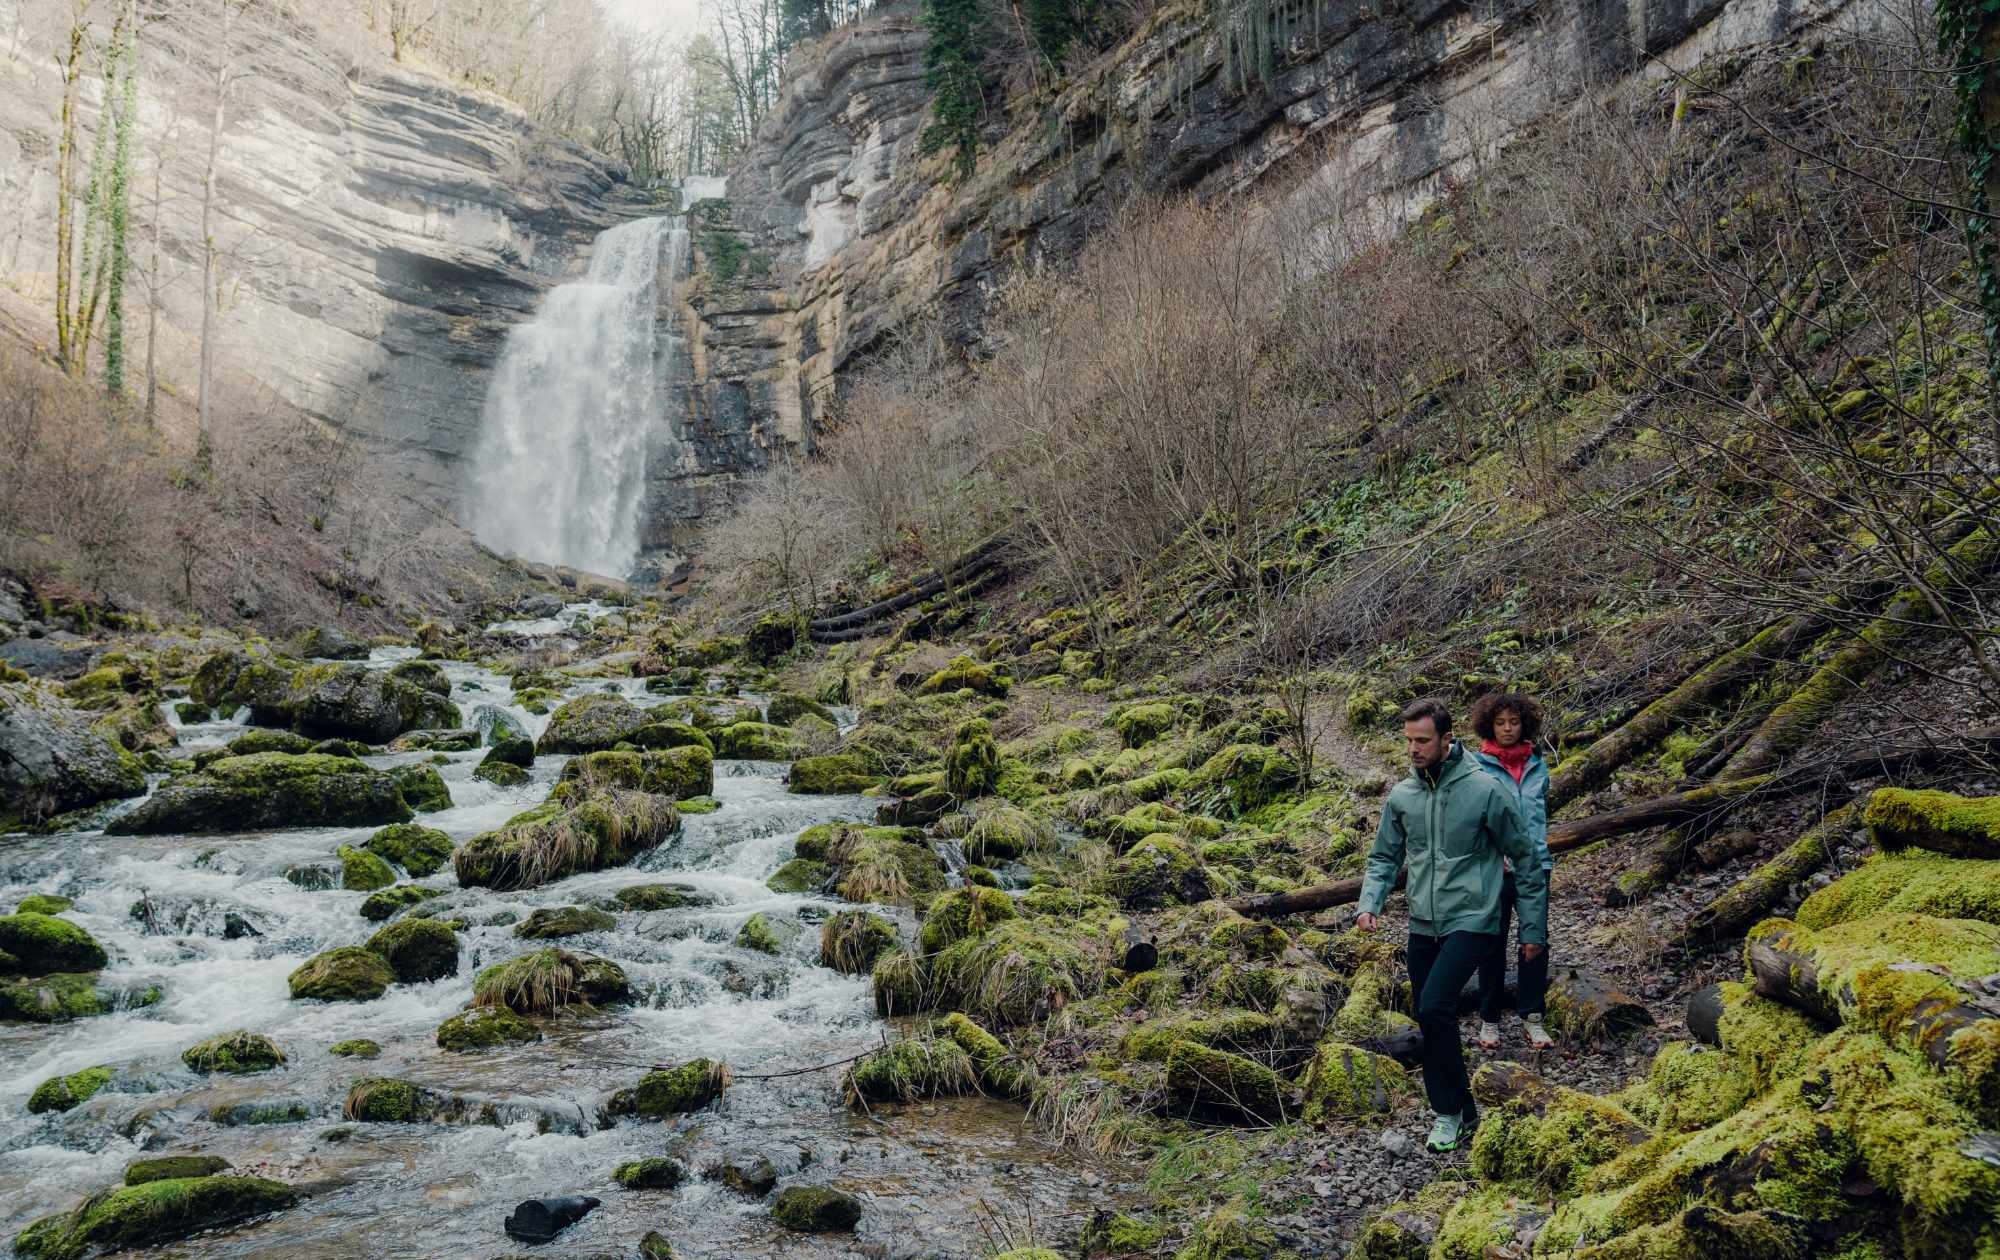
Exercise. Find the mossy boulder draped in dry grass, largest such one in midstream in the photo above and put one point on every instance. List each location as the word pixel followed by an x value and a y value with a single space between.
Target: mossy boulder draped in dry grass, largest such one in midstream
pixel 567 835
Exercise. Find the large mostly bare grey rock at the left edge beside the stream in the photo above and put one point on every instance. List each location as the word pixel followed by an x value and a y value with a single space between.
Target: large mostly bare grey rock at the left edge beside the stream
pixel 53 761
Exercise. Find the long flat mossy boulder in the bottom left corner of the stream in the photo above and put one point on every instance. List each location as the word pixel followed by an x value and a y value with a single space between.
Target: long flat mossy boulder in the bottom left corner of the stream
pixel 153 1213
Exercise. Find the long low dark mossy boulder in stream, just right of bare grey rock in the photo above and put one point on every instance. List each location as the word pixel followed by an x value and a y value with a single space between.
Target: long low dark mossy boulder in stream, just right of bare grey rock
pixel 269 791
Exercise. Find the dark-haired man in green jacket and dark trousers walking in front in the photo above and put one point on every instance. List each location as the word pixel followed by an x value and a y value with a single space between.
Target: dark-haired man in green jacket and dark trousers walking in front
pixel 1453 825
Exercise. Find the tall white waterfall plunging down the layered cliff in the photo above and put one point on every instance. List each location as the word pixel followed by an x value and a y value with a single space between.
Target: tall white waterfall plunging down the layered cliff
pixel 561 463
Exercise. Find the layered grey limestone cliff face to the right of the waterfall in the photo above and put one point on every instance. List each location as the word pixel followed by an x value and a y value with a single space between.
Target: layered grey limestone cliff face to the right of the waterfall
pixel 835 231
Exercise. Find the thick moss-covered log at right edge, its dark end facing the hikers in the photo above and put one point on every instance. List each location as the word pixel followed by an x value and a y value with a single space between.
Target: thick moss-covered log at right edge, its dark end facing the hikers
pixel 1911 979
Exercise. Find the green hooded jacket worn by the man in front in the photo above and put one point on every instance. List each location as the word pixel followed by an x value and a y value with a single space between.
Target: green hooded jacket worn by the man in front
pixel 1451 827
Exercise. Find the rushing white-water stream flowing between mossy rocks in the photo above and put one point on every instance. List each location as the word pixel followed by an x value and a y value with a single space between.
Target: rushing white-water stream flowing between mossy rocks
pixel 227 927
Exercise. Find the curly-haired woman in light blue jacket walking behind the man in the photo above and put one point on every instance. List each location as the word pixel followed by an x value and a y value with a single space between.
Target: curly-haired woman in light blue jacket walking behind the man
pixel 1509 725
